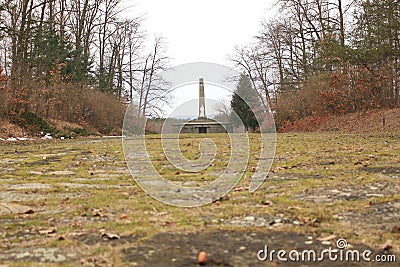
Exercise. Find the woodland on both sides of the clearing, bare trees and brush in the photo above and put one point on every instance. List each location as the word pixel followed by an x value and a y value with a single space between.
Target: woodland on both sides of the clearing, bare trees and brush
pixel 81 61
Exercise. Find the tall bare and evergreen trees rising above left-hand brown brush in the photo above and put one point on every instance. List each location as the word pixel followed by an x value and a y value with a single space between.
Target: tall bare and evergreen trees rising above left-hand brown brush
pixel 82 41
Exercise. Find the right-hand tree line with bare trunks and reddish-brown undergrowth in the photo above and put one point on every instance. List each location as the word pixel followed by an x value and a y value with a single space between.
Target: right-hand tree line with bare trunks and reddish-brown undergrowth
pixel 321 57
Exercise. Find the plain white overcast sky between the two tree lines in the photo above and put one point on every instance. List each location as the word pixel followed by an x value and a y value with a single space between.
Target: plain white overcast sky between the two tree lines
pixel 201 31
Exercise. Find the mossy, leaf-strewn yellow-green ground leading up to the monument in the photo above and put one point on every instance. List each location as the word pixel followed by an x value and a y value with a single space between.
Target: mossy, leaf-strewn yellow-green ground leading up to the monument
pixel 331 184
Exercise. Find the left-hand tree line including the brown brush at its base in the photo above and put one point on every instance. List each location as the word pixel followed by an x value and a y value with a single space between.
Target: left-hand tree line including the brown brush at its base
pixel 77 60
